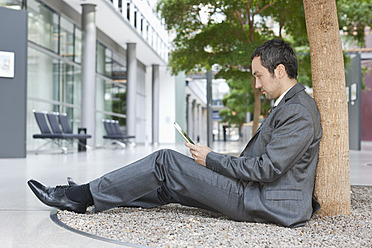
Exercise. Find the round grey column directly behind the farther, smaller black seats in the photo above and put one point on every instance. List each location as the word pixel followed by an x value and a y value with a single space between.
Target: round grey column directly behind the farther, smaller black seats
pixel 131 88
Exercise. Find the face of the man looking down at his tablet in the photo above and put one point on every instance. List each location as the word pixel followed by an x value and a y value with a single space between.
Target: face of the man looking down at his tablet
pixel 267 82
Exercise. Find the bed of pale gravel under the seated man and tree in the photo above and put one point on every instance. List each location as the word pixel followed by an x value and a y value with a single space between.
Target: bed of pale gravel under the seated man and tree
pixel 174 225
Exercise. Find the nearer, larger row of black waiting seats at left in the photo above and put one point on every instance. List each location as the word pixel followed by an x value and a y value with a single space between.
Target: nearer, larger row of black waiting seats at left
pixel 53 131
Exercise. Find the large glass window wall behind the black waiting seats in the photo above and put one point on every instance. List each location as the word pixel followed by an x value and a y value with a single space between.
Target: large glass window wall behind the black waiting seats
pixel 54 72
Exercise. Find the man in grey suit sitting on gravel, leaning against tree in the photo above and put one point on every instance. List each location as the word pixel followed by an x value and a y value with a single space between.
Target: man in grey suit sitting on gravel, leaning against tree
pixel 272 181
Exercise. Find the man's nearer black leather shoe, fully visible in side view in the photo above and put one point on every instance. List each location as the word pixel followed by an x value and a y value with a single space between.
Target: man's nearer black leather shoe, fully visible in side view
pixel 55 197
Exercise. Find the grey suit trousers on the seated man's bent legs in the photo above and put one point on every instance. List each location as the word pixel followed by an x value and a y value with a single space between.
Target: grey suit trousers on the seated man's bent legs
pixel 167 176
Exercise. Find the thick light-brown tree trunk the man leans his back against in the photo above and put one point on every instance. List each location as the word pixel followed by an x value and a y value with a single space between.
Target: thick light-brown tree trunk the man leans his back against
pixel 332 186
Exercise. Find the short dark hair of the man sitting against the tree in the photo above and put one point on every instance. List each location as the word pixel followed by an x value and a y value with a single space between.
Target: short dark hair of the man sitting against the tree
pixel 275 52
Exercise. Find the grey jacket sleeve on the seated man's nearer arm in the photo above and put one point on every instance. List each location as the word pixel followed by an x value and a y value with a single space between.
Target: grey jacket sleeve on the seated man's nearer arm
pixel 289 135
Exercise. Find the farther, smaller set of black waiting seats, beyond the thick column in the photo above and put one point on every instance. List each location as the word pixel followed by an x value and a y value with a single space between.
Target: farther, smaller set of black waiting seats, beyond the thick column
pixel 115 135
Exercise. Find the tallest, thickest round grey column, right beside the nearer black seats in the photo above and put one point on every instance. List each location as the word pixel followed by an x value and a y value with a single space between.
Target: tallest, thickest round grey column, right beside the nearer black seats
pixel 88 71
